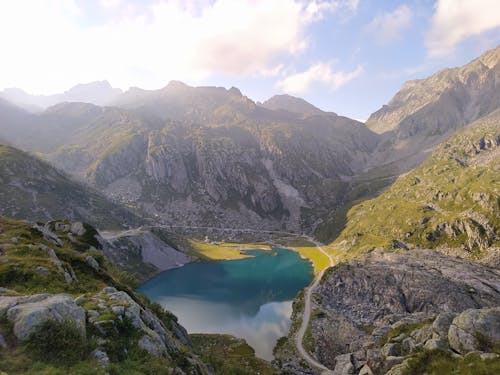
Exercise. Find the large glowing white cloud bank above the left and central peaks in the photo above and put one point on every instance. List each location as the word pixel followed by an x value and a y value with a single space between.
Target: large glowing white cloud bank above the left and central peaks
pixel 49 45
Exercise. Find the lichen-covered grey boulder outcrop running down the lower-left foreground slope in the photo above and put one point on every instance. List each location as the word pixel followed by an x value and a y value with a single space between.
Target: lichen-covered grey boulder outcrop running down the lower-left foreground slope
pixel 106 317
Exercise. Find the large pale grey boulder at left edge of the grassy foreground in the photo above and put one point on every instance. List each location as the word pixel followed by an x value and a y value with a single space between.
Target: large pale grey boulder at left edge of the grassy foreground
pixel 28 314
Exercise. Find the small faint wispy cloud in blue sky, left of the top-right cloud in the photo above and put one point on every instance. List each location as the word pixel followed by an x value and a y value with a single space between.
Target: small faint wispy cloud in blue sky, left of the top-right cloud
pixel 388 27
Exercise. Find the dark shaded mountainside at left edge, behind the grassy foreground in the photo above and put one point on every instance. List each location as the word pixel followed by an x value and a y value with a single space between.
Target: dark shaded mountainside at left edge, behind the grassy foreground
pixel 32 189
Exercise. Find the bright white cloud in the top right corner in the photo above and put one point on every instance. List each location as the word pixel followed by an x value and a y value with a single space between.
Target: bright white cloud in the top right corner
pixel 456 20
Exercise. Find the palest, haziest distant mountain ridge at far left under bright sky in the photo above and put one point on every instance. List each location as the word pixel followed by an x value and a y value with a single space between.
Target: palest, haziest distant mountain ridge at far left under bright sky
pixel 99 93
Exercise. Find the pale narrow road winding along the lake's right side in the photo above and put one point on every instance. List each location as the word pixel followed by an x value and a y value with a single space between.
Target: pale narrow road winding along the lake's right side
pixel 306 316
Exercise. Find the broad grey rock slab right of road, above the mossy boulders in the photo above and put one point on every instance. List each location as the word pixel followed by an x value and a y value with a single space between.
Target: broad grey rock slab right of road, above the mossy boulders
pixel 417 281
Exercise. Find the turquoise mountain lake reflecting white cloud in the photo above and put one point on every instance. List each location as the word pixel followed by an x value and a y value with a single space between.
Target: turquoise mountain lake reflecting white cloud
pixel 249 298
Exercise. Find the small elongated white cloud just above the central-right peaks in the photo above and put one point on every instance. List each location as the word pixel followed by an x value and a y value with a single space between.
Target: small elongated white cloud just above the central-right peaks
pixel 321 73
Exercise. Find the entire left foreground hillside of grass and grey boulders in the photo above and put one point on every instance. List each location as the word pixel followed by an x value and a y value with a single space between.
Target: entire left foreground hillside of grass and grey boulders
pixel 65 308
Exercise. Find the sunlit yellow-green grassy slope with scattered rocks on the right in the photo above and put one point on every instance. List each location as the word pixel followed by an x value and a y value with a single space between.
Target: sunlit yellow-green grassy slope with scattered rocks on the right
pixel 451 200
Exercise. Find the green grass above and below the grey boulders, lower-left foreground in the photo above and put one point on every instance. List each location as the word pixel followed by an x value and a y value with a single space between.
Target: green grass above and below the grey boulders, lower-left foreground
pixel 22 251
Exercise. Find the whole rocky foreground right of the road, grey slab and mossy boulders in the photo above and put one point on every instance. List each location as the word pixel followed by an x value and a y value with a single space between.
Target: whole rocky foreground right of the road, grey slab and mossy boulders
pixel 401 313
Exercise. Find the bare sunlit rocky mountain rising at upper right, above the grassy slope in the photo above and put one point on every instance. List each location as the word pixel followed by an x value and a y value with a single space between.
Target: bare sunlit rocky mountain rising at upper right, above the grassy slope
pixel 425 112
